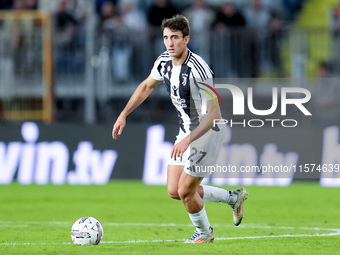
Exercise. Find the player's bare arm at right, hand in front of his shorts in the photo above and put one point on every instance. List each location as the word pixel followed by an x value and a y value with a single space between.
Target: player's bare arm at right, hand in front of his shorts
pixel 213 112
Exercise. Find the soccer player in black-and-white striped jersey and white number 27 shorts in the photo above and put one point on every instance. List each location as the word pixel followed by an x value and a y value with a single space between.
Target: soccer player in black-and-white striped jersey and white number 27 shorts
pixel 197 143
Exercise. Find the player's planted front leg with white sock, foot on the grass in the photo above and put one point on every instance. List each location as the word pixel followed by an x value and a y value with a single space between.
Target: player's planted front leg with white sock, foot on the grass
pixel 187 191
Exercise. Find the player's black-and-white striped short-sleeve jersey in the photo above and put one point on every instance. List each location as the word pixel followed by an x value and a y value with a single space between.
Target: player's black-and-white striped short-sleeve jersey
pixel 183 85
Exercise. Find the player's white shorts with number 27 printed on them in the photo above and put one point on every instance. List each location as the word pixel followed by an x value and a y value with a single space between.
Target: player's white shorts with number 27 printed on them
pixel 202 153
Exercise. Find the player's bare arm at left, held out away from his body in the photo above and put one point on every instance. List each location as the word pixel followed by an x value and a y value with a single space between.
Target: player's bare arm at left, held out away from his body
pixel 141 93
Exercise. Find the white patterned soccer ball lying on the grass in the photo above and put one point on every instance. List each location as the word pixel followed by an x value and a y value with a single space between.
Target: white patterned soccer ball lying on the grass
pixel 87 231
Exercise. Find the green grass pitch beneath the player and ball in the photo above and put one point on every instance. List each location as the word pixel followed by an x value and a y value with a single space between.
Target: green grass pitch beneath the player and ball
pixel 300 219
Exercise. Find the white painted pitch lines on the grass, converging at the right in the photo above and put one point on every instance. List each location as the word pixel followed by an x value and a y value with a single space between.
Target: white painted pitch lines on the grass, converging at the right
pixel 333 232
